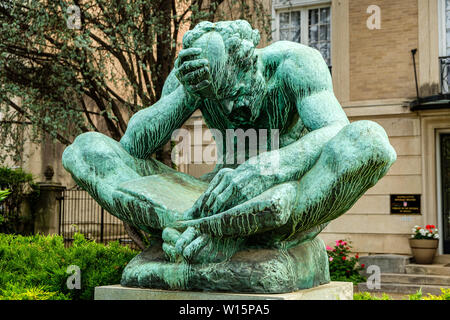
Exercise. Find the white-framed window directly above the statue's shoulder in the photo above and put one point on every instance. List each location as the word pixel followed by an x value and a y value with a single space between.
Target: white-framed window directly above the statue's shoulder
pixel 308 25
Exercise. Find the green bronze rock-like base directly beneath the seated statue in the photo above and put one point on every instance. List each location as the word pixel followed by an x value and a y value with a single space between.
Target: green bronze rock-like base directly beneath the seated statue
pixel 250 270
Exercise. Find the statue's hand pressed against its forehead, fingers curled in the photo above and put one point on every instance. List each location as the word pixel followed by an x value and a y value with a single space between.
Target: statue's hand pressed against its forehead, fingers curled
pixel 194 73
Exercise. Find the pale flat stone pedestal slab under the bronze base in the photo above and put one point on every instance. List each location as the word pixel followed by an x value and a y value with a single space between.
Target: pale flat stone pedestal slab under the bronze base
pixel 329 291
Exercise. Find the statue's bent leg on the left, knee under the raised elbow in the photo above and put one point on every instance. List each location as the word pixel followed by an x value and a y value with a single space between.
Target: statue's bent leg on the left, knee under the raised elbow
pixel 100 165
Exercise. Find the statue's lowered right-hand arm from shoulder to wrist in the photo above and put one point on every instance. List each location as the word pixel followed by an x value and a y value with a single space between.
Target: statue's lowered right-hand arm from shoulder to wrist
pixel 308 79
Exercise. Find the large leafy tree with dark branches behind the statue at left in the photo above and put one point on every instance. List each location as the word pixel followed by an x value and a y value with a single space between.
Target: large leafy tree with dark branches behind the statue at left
pixel 72 66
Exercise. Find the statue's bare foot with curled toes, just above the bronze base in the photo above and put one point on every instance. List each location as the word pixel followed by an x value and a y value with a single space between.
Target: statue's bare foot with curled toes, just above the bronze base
pixel 269 211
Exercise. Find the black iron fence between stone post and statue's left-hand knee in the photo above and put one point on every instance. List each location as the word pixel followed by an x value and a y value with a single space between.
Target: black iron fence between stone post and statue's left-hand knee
pixel 79 212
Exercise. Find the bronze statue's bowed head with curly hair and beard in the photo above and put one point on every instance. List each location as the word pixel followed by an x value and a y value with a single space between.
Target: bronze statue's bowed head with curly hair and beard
pixel 229 47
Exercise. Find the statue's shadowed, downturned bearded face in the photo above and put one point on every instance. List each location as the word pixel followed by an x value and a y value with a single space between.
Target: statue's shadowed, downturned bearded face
pixel 238 87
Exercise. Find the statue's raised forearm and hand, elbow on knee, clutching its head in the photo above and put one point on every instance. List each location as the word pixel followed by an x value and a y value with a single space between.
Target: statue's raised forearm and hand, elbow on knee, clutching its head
pixel 151 128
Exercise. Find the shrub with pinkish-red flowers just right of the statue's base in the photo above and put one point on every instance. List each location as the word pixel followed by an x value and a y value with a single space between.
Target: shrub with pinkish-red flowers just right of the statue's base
pixel 344 267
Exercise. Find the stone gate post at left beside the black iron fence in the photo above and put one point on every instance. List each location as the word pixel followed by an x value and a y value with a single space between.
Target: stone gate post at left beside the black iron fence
pixel 48 208
